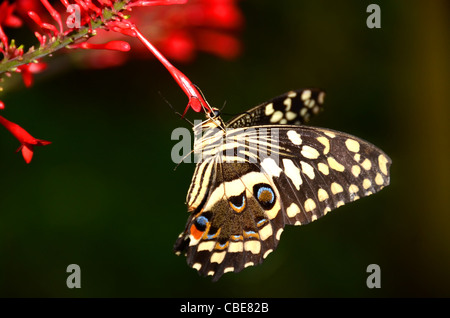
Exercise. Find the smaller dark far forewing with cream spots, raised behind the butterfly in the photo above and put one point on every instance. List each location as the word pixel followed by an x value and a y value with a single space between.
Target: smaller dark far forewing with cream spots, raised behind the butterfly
pixel 291 108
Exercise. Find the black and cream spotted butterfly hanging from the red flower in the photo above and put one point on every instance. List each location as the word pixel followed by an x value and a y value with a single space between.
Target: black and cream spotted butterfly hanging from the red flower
pixel 265 169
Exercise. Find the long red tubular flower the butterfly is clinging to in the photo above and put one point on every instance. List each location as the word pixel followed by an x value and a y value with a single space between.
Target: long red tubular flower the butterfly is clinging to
pixel 196 101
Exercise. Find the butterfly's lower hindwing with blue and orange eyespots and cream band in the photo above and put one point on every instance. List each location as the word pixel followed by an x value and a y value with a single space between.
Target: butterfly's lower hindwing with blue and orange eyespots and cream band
pixel 236 227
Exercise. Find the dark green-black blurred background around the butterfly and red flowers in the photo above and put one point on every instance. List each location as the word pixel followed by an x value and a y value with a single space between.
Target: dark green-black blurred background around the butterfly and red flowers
pixel 105 195
